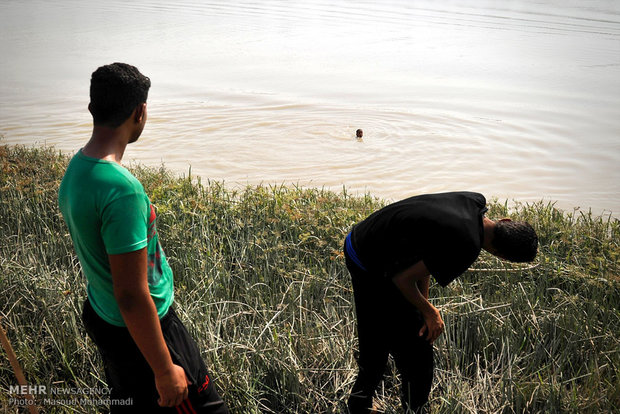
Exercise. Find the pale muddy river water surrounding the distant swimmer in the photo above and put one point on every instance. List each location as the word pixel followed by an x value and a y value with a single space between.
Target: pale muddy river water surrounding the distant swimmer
pixel 519 100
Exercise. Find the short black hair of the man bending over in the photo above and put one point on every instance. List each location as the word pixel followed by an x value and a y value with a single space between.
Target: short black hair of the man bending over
pixel 515 241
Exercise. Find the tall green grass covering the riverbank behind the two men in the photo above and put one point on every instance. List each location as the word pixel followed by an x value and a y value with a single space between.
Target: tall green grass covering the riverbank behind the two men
pixel 261 283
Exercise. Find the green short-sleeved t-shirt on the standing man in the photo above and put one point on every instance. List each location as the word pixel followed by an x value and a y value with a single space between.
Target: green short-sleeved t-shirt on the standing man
pixel 108 212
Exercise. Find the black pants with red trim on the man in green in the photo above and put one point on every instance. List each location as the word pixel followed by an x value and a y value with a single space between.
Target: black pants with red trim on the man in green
pixel 130 377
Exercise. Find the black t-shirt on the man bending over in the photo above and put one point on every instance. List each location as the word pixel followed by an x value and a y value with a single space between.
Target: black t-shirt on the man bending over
pixel 443 230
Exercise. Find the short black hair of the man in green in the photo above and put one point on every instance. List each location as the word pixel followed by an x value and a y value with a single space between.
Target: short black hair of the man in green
pixel 115 91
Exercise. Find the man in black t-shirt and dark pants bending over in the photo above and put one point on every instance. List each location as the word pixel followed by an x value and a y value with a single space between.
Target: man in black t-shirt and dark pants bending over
pixel 391 255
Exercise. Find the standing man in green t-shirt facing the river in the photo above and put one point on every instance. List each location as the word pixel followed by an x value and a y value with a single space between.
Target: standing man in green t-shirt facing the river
pixel 149 358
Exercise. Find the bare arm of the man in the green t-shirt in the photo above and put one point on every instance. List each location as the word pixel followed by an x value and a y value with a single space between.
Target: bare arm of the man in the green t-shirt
pixel 129 279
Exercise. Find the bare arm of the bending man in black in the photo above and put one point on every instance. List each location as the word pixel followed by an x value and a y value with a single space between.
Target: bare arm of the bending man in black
pixel 409 282
